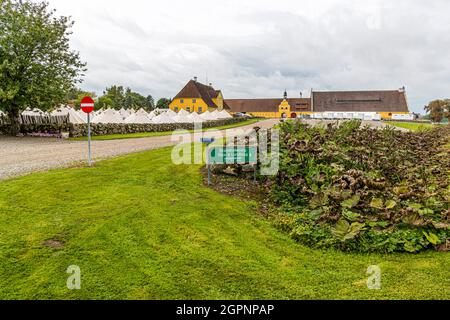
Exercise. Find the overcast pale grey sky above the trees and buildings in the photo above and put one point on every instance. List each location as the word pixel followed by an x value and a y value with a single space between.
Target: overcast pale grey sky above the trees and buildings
pixel 256 49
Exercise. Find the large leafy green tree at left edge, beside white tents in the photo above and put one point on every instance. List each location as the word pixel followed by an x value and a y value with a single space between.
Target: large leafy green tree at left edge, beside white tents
pixel 37 67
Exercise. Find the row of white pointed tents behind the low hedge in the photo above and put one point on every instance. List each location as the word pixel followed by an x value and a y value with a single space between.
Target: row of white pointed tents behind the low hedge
pixel 128 115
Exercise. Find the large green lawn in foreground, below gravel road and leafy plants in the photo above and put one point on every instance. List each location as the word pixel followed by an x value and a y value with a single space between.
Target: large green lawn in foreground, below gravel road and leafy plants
pixel 140 227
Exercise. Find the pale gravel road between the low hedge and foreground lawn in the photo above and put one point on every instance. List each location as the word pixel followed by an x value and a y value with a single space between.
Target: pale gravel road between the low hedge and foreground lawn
pixel 19 156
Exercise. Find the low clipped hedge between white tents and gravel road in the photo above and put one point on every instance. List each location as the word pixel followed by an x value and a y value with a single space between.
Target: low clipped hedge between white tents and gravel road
pixel 79 130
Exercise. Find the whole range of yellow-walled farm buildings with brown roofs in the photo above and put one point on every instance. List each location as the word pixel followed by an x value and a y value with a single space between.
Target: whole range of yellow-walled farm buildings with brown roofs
pixel 198 97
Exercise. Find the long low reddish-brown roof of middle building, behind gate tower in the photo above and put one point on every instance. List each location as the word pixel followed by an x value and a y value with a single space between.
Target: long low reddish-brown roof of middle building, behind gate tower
pixel 267 105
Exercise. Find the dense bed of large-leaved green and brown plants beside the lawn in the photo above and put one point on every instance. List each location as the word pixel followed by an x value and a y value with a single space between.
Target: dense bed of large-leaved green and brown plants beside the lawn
pixel 363 189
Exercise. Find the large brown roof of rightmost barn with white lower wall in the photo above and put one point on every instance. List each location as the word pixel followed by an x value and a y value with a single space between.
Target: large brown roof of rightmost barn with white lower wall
pixel 364 101
